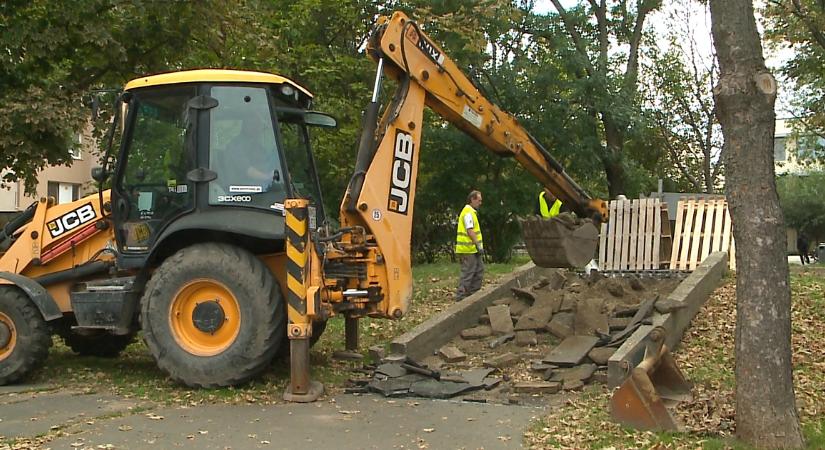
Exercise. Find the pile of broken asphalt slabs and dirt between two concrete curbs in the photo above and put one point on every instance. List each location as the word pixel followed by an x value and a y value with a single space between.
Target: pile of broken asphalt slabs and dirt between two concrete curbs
pixel 554 336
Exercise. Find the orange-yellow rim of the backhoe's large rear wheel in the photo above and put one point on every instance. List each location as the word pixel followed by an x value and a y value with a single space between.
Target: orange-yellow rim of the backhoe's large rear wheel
pixel 188 335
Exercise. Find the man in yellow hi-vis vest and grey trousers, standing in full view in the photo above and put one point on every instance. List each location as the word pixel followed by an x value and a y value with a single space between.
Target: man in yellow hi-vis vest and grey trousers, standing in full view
pixel 469 247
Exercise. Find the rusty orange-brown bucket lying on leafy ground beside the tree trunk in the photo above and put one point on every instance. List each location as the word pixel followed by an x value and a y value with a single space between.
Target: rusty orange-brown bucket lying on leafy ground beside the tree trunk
pixel 643 399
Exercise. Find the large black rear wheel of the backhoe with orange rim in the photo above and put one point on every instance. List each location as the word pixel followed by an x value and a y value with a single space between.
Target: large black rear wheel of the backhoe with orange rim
pixel 242 347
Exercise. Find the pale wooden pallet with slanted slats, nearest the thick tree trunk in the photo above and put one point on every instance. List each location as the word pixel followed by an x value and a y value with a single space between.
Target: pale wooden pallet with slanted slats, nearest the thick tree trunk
pixel 702 226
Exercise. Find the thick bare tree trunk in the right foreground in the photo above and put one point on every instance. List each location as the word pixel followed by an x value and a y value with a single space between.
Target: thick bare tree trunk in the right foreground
pixel 766 412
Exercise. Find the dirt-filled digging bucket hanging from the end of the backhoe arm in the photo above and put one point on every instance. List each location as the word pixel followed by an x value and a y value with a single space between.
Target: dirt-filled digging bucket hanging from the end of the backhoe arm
pixel 561 241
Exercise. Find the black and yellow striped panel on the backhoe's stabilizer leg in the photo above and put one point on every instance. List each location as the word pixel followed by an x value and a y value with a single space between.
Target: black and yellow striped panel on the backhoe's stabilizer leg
pixel 296 252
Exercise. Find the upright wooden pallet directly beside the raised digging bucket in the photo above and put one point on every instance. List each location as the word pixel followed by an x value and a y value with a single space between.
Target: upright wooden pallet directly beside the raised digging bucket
pixel 634 237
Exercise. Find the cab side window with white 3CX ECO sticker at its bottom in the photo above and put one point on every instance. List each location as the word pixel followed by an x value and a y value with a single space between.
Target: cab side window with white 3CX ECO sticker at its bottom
pixel 243 150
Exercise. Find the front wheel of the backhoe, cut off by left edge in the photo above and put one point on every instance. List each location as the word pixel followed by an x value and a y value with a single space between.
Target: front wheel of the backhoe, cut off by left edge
pixel 27 336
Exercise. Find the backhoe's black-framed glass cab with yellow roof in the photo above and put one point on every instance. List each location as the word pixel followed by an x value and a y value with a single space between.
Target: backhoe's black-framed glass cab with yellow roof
pixel 212 154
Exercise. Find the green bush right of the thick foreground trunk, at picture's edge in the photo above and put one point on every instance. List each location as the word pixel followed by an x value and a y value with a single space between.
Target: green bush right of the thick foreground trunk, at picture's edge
pixel 803 202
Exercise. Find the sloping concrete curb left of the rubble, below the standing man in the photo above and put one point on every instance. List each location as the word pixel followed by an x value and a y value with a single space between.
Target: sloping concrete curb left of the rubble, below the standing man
pixel 429 336
